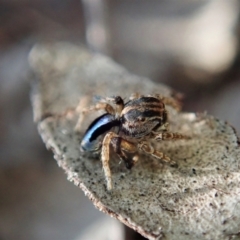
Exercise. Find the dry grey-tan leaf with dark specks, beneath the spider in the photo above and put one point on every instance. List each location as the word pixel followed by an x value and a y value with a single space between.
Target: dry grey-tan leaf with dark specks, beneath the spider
pixel 199 199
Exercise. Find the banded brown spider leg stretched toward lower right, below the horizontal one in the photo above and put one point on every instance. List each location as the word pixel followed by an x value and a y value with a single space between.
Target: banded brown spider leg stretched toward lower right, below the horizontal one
pixel 149 149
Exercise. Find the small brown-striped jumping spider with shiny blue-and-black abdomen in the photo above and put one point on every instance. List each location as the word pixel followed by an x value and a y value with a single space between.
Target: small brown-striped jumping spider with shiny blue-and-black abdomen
pixel 129 127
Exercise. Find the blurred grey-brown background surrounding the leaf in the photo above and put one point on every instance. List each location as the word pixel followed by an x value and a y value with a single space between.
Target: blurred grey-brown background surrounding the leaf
pixel 192 46
